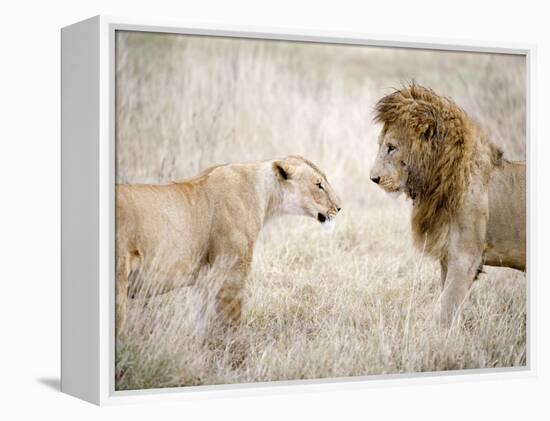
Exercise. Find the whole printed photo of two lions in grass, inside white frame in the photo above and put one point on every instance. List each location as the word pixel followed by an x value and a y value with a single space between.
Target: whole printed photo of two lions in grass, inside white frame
pixel 298 210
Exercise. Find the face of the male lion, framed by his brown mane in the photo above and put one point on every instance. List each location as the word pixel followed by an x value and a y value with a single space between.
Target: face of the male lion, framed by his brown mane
pixel 390 168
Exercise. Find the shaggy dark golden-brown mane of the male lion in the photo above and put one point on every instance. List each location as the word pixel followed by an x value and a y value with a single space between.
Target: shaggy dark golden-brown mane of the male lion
pixel 446 149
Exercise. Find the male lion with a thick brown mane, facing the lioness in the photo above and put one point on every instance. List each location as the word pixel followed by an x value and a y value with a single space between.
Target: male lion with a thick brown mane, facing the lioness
pixel 468 201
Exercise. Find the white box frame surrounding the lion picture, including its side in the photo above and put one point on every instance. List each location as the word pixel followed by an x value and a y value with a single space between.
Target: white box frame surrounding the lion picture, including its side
pixel 88 179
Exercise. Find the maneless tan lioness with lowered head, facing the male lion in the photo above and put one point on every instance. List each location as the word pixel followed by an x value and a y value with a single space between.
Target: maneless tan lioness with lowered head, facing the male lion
pixel 215 217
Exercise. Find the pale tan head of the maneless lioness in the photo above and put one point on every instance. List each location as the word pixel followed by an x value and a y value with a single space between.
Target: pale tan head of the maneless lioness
pixel 305 190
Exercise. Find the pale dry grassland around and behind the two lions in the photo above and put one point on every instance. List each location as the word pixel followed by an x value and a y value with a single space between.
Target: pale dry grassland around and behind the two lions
pixel 358 301
